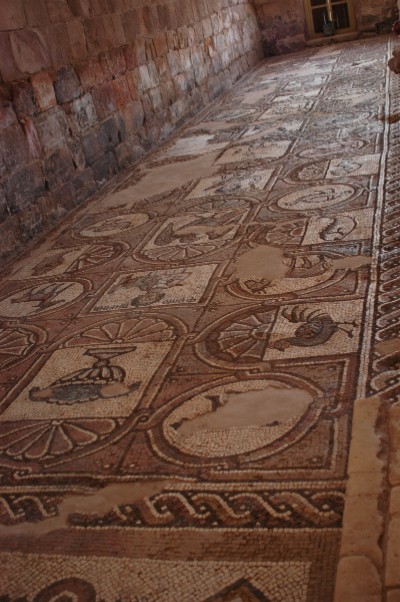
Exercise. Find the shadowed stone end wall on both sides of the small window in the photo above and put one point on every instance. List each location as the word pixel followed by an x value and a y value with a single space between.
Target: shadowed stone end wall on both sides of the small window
pixel 283 23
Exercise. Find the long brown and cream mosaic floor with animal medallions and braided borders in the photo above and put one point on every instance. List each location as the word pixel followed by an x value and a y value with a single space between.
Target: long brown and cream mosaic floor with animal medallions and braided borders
pixel 179 360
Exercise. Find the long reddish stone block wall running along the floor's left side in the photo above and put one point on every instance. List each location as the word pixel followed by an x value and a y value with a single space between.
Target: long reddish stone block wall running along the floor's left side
pixel 88 86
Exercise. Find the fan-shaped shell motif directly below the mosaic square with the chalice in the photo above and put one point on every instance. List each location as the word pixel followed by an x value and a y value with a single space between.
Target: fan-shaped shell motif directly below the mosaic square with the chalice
pixel 49 439
